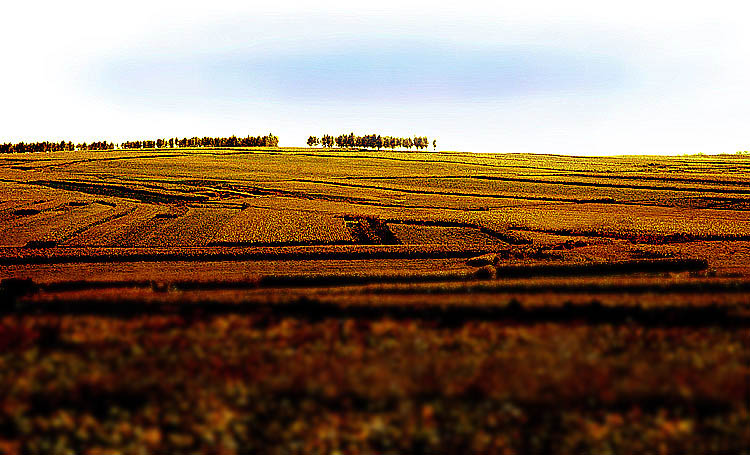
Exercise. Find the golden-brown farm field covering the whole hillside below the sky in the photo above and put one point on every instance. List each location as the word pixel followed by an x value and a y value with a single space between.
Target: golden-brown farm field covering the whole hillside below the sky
pixel 343 301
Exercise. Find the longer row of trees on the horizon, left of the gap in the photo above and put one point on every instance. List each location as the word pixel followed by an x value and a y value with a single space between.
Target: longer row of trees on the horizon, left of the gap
pixel 193 142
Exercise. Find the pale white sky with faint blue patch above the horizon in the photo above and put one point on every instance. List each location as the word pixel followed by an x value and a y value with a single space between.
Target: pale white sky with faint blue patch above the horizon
pixel 576 77
